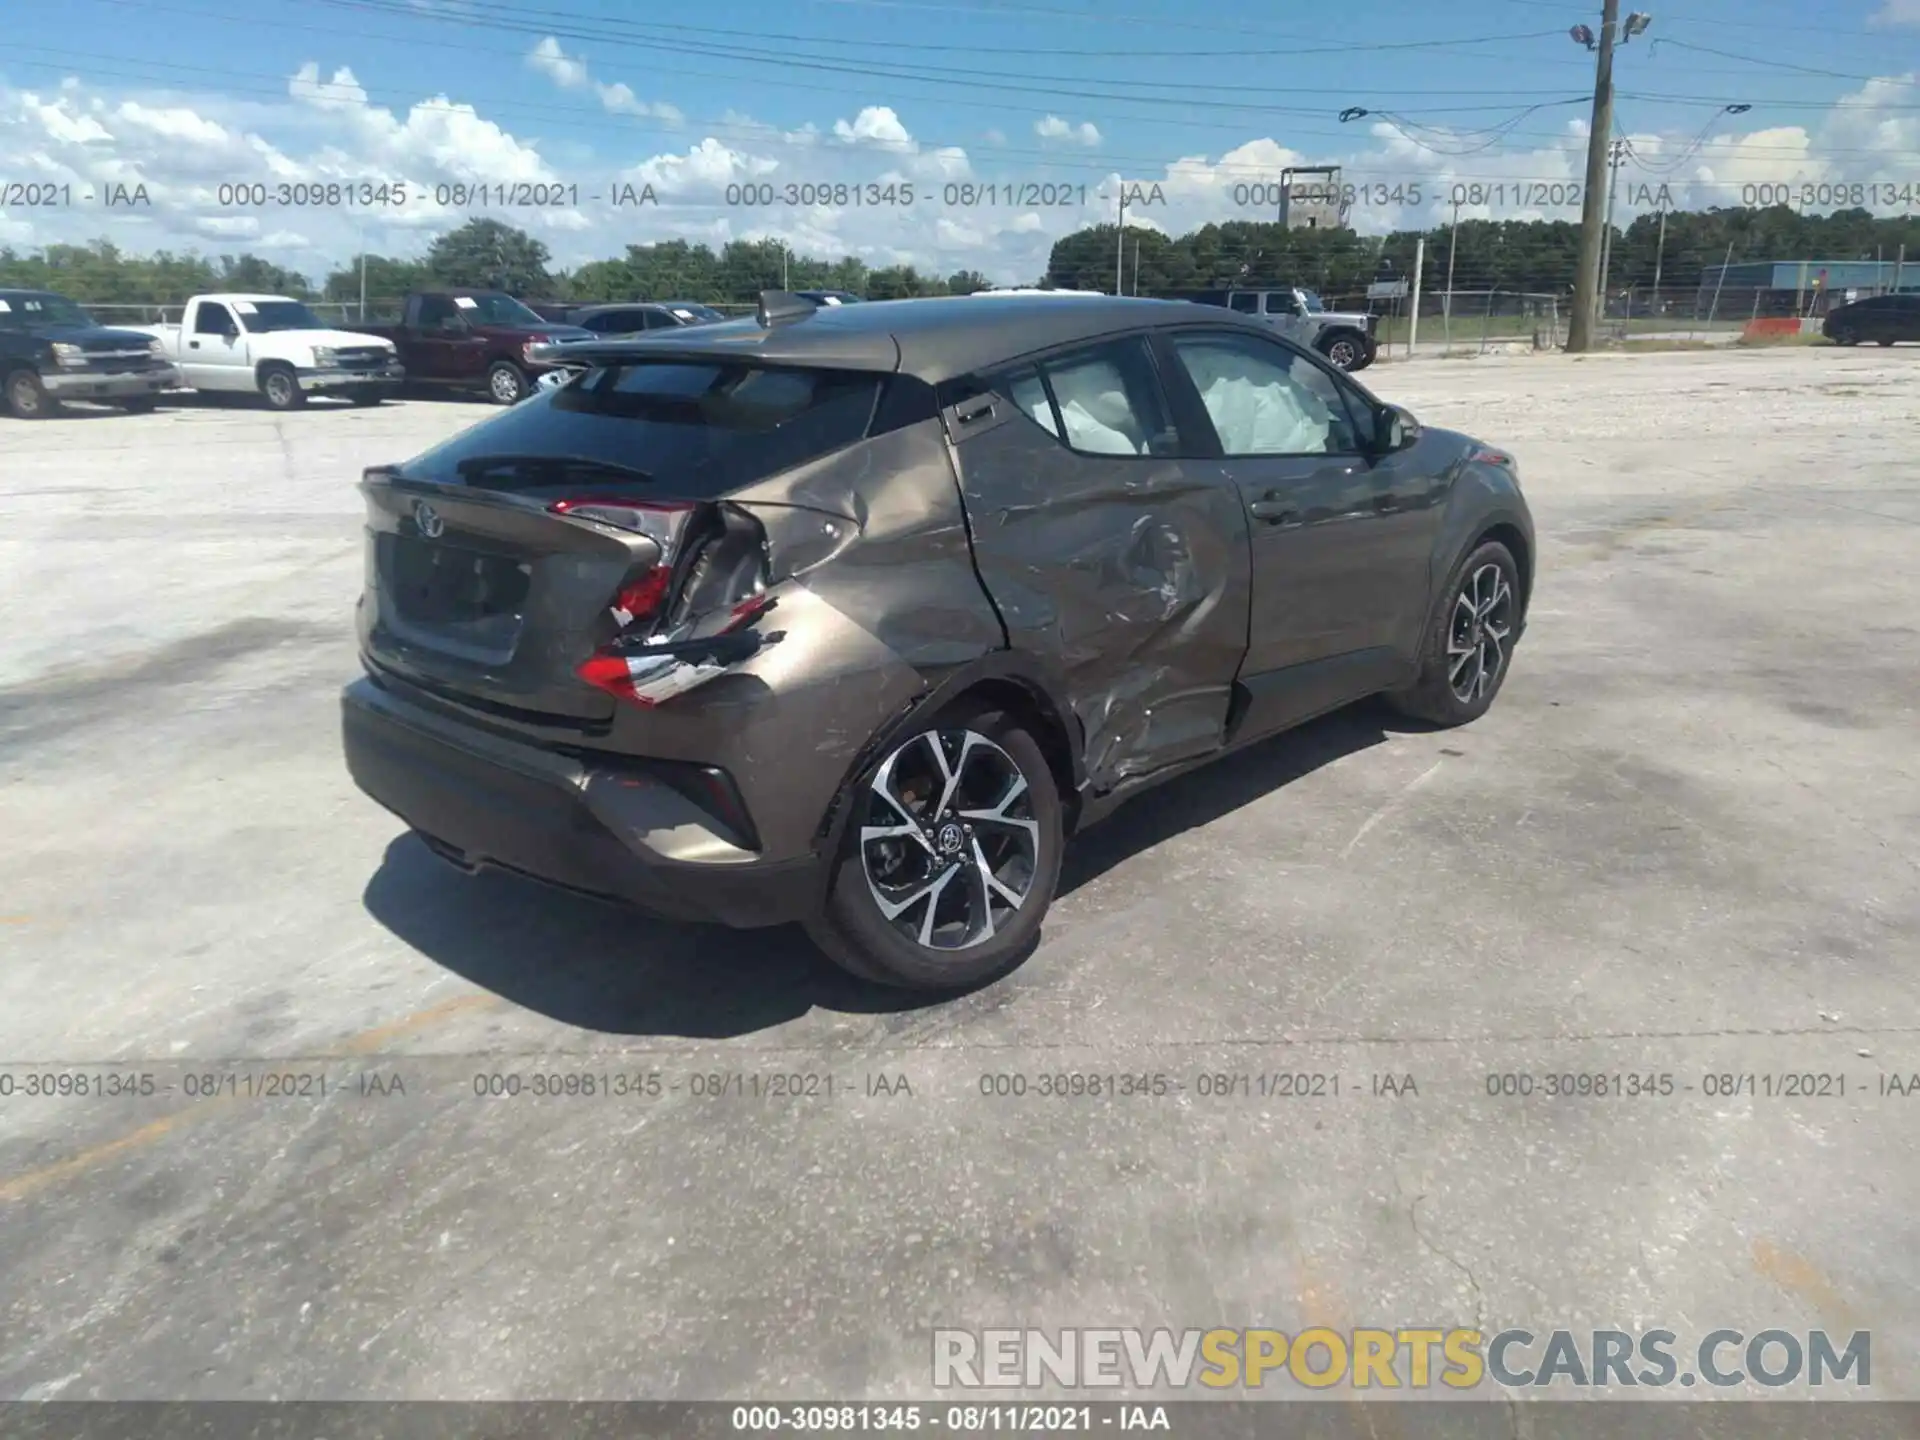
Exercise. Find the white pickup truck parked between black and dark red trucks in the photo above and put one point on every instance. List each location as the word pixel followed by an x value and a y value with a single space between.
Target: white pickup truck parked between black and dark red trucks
pixel 276 348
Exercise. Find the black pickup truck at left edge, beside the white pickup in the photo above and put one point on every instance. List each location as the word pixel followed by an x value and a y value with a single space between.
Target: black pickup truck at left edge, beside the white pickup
pixel 53 350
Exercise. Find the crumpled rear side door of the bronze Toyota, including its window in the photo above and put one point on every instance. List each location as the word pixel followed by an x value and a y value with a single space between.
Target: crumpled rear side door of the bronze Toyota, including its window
pixel 1105 552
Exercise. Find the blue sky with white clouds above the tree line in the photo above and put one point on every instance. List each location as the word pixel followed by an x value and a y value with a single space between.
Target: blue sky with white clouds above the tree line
pixel 836 91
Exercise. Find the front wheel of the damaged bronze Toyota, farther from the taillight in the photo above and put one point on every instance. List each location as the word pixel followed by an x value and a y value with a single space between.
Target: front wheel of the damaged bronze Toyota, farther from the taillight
pixel 1470 642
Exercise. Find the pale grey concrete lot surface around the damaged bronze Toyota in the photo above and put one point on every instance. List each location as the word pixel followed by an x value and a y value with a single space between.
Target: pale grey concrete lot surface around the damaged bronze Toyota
pixel 1683 844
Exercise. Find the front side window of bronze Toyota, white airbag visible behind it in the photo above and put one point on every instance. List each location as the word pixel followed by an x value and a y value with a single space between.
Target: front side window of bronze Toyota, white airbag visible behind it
pixel 1264 400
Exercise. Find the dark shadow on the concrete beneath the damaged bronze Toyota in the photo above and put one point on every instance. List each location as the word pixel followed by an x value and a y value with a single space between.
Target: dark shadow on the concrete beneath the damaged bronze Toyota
pixel 619 972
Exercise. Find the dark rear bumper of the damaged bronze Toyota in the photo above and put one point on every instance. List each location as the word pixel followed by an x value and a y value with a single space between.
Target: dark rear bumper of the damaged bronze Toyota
pixel 615 832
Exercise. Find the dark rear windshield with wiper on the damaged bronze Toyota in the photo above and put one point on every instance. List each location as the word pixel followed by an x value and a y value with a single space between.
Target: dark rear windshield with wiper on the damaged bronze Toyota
pixel 700 431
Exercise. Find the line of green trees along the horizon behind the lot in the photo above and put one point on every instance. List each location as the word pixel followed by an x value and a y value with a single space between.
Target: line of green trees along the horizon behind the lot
pixel 1485 254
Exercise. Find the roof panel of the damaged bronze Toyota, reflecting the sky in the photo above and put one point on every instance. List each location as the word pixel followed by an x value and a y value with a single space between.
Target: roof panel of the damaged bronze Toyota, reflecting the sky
pixel 936 339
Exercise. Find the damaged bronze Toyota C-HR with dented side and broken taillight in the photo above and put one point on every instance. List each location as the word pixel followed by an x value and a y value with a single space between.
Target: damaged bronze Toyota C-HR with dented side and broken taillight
pixel 853 615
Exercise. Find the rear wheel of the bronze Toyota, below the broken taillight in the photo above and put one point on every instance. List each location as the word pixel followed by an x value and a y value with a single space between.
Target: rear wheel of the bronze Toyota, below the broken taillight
pixel 951 857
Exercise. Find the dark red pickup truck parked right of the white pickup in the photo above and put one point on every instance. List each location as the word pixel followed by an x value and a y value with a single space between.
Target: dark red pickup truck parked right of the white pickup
pixel 473 341
